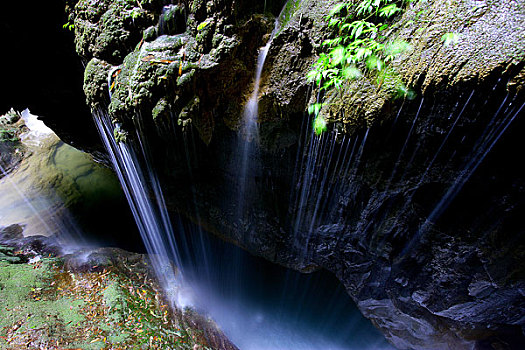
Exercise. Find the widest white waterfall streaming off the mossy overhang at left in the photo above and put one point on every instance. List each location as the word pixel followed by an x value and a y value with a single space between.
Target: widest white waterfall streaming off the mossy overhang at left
pixel 150 215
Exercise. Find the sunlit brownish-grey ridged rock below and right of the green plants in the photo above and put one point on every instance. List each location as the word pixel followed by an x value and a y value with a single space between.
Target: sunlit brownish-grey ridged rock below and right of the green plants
pixel 488 49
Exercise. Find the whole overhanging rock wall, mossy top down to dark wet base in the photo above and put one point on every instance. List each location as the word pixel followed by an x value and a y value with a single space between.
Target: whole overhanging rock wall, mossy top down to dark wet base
pixel 415 205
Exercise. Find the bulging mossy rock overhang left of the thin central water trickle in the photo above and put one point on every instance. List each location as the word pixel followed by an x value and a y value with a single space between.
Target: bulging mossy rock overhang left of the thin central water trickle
pixel 173 63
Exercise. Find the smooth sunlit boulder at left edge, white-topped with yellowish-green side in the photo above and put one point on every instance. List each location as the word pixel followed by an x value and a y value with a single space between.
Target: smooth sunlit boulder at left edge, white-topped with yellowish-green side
pixel 50 188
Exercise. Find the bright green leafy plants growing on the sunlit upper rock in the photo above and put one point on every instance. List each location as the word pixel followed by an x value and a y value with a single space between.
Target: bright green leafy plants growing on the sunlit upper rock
pixel 359 47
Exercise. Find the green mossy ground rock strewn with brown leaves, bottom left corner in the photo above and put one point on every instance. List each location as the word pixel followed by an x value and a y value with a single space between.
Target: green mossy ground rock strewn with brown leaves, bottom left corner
pixel 46 304
